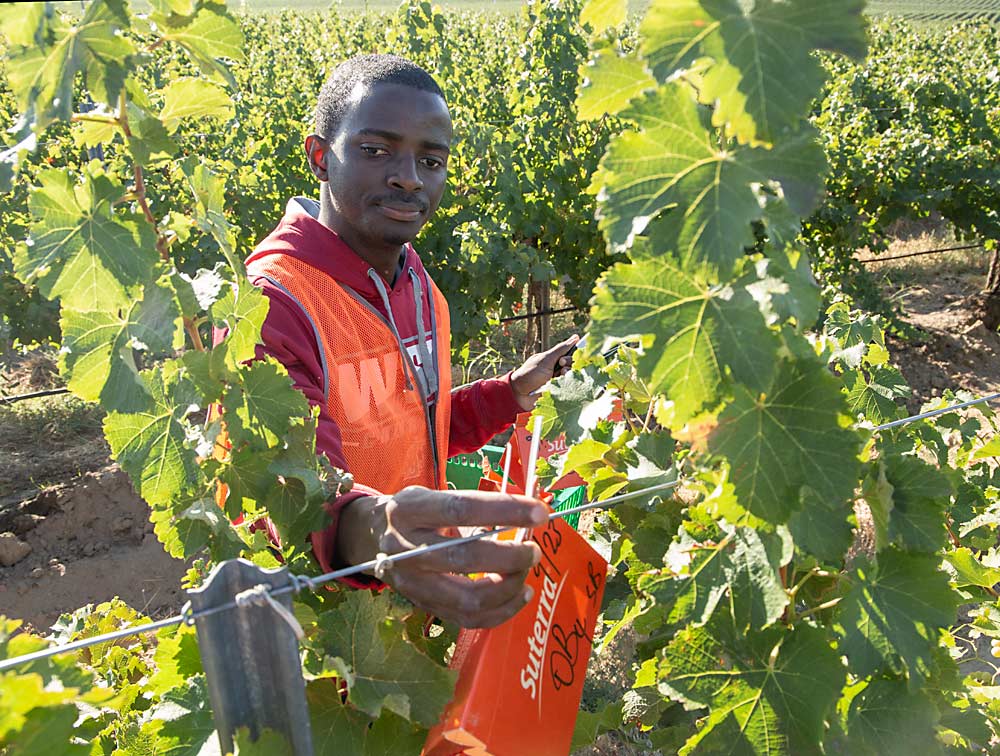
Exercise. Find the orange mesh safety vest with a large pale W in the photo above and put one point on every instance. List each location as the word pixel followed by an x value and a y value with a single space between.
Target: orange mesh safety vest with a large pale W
pixel 391 438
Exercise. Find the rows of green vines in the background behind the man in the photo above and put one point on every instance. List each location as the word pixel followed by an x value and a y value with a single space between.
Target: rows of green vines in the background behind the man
pixel 919 146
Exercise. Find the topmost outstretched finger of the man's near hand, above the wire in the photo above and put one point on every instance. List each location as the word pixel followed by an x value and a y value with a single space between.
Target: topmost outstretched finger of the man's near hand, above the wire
pixel 426 509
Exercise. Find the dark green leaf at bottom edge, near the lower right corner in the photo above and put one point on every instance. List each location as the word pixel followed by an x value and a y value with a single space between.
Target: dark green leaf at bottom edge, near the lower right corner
pixel 886 719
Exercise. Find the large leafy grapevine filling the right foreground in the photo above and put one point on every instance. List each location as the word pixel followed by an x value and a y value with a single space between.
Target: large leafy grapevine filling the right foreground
pixel 763 617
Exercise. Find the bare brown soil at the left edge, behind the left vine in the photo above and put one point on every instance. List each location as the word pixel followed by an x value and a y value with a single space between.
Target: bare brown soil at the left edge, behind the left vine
pixel 89 533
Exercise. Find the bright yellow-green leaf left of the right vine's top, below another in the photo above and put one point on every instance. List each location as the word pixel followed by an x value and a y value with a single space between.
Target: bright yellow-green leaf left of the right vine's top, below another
pixel 609 81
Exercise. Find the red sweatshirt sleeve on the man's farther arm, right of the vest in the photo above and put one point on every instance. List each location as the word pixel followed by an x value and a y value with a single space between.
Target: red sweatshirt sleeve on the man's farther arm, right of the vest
pixel 479 411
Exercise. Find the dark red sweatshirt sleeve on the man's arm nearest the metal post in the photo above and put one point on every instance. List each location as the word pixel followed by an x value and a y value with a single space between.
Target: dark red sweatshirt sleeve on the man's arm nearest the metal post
pixel 288 336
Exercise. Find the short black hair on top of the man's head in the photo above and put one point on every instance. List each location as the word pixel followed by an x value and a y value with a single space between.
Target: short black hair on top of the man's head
pixel 368 70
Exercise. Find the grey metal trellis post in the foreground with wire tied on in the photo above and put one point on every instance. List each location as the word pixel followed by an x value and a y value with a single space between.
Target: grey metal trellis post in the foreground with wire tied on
pixel 251 653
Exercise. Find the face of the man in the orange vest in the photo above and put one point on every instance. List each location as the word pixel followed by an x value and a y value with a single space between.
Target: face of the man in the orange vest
pixel 386 166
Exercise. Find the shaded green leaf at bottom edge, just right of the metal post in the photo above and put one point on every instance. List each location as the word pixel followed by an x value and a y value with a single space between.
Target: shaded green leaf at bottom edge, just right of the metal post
pixel 340 730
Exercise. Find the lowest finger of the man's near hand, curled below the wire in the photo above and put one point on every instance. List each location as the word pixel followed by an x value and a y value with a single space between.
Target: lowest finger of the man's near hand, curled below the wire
pixel 471 603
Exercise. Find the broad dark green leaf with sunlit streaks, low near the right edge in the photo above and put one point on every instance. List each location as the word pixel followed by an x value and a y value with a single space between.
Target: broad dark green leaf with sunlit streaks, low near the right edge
pixel 891 616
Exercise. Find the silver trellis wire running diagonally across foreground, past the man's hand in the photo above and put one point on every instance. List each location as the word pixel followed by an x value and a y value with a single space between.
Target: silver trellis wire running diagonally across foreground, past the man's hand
pixel 301 581
